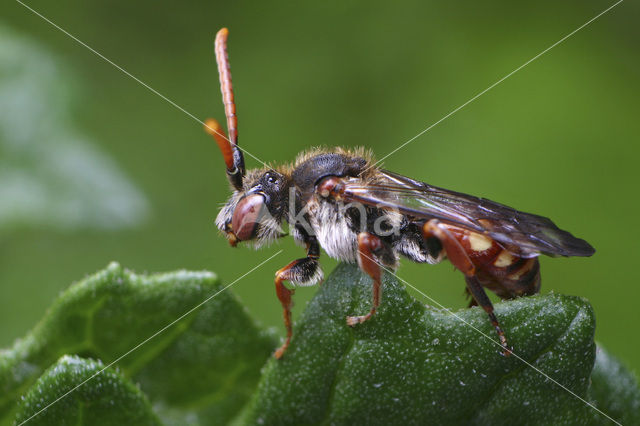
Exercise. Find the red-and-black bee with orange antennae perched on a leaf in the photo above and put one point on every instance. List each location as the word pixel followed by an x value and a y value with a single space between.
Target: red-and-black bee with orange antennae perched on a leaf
pixel 341 201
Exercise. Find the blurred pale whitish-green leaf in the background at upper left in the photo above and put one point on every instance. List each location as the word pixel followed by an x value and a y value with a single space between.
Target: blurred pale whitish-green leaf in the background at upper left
pixel 52 175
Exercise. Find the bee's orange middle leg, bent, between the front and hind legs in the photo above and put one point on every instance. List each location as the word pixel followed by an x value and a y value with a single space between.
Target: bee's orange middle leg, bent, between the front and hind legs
pixel 371 250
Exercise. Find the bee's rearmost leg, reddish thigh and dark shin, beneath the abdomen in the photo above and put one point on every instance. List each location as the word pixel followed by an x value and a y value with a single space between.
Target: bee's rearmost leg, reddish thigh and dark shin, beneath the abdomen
pixel 459 258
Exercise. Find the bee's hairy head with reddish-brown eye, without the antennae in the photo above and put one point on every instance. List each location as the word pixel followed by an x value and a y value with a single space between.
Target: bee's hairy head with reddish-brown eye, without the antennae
pixel 255 212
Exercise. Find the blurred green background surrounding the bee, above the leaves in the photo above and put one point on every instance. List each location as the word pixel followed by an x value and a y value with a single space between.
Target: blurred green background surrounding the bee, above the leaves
pixel 94 167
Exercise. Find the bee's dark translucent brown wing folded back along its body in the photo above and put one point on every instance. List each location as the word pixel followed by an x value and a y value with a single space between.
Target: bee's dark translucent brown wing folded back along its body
pixel 524 234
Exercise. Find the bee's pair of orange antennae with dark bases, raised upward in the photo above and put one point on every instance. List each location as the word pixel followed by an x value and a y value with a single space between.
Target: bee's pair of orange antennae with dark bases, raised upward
pixel 233 157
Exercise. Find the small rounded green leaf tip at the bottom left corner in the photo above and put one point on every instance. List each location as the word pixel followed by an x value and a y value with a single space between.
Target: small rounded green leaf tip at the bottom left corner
pixel 107 399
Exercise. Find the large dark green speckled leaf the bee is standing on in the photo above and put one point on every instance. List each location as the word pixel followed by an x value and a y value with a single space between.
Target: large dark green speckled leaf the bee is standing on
pixel 411 364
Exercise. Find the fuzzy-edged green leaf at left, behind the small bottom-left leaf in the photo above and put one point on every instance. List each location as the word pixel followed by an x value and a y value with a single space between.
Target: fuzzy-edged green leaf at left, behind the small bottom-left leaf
pixel 201 369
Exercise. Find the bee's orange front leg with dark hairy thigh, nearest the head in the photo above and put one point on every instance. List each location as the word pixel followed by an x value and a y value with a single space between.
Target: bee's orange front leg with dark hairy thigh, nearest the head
pixel 302 272
